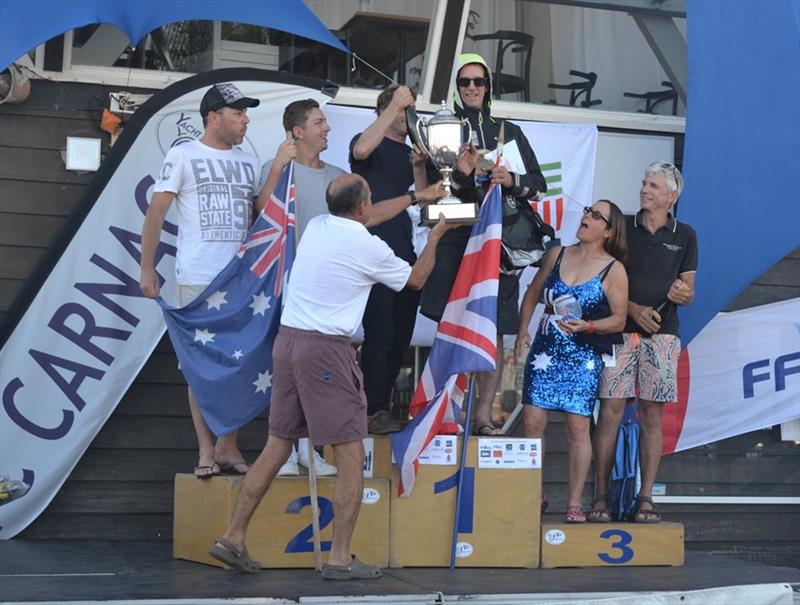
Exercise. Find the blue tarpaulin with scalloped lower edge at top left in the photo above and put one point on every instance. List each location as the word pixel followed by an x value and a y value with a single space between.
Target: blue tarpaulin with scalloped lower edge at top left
pixel 25 25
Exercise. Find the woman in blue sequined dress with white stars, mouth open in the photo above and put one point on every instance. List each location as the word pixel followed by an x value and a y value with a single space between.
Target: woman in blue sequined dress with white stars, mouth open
pixel 562 370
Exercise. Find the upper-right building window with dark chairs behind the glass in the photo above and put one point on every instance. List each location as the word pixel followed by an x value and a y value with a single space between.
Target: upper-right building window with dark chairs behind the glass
pixel 536 45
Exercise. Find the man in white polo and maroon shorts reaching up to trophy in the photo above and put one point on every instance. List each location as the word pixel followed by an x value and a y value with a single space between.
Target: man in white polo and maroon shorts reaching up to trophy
pixel 317 388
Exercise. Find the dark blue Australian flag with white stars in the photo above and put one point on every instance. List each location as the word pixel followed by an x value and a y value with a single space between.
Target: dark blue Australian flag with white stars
pixel 224 338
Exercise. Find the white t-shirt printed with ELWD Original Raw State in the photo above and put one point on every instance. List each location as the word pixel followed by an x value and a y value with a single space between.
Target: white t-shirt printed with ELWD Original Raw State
pixel 214 194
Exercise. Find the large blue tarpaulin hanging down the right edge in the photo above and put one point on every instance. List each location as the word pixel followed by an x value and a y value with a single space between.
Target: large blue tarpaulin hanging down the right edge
pixel 742 146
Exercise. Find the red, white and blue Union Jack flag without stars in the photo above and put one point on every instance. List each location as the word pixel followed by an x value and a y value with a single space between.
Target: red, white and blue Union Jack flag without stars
pixel 466 341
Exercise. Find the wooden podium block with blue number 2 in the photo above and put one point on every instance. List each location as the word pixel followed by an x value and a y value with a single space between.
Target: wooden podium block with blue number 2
pixel 280 532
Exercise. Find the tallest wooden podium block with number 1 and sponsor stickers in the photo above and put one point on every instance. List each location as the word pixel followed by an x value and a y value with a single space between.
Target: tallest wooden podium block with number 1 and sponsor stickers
pixel 500 517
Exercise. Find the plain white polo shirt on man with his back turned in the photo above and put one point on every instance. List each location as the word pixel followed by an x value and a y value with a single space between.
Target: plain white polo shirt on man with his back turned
pixel 337 263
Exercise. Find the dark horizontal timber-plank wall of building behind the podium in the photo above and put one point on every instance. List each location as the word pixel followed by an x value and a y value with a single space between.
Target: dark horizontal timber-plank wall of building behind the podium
pixel 123 486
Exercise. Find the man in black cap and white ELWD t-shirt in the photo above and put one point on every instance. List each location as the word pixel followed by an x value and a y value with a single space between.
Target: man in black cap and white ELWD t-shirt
pixel 214 184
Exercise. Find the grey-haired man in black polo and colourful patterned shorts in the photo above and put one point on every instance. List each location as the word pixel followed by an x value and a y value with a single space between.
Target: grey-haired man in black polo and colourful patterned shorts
pixel 662 263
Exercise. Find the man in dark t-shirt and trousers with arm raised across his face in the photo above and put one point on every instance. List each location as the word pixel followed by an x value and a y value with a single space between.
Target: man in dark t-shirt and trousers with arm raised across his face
pixel 380 155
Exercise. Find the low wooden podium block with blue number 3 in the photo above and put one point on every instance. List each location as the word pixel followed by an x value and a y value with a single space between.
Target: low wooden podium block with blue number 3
pixel 611 544
